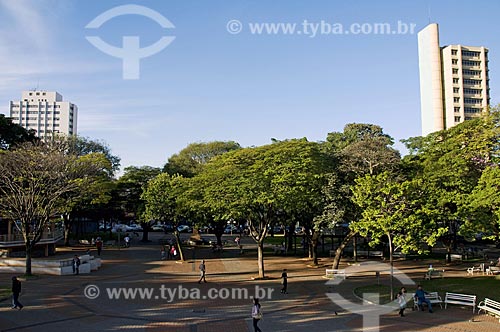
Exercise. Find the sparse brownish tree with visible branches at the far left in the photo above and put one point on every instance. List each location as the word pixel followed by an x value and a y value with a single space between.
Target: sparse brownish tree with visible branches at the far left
pixel 33 179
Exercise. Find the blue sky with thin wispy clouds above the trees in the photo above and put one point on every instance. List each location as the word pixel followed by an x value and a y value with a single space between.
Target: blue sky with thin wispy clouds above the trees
pixel 220 79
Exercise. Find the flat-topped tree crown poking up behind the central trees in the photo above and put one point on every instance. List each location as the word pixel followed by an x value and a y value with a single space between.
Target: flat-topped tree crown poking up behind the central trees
pixel 190 160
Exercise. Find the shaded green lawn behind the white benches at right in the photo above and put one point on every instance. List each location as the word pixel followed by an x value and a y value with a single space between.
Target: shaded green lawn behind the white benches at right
pixel 480 286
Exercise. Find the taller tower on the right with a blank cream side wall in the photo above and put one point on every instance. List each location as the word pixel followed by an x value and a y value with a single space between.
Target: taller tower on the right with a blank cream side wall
pixel 454 83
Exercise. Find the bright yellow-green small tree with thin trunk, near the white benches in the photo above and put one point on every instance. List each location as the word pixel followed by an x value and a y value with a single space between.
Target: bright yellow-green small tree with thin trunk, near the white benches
pixel 392 211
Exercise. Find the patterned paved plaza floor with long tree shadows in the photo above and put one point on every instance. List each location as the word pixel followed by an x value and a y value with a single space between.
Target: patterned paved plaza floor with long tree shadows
pixel 58 303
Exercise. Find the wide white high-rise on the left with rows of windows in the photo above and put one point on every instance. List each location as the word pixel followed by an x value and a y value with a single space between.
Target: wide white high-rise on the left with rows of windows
pixel 45 112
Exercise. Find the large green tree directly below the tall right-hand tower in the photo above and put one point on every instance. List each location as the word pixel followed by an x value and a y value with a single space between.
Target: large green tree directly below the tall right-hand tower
pixel 450 164
